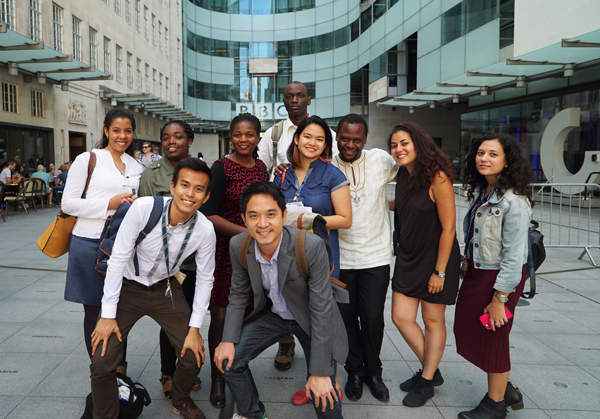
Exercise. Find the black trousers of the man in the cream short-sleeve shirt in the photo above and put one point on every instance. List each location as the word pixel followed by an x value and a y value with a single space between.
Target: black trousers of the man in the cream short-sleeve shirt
pixel 367 289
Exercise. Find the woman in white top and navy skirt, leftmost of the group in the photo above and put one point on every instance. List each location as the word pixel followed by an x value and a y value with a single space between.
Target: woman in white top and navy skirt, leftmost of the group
pixel 115 179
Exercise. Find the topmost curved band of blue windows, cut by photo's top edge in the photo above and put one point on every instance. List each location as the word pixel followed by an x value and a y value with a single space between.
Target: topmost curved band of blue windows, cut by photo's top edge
pixel 255 7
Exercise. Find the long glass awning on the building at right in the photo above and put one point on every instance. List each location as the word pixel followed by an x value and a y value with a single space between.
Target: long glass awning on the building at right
pixel 560 60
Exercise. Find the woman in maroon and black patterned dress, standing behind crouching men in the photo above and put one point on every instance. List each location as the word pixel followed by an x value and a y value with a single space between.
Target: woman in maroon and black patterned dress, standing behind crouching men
pixel 231 175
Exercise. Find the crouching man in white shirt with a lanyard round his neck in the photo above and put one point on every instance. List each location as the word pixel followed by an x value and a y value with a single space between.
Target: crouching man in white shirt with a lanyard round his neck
pixel 156 292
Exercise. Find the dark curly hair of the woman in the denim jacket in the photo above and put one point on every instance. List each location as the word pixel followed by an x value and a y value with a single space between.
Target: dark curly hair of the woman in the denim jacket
pixel 517 174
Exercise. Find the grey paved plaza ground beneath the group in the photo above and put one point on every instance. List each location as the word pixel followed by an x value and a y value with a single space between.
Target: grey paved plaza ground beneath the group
pixel 555 344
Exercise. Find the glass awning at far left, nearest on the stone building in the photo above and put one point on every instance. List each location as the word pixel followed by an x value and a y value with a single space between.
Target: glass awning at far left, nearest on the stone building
pixel 21 53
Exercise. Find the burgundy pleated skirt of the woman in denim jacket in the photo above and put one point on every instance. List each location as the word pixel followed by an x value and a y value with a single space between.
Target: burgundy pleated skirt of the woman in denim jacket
pixel 484 348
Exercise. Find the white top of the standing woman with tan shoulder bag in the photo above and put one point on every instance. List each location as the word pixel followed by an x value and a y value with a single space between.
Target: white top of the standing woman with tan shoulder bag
pixel 106 182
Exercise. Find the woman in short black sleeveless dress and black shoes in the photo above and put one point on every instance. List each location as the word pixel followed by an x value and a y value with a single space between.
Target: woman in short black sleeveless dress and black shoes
pixel 428 256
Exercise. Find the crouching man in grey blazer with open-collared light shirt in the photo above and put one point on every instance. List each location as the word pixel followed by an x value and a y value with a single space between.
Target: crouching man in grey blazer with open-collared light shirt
pixel 284 303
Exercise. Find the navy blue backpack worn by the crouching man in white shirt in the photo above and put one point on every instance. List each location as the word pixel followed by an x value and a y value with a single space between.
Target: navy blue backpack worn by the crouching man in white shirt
pixel 111 228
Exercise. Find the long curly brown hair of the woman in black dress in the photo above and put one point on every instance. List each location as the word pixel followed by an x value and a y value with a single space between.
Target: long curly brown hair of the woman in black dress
pixel 430 157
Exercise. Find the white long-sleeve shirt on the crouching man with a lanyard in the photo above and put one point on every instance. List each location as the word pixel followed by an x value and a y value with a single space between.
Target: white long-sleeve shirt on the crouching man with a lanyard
pixel 150 252
